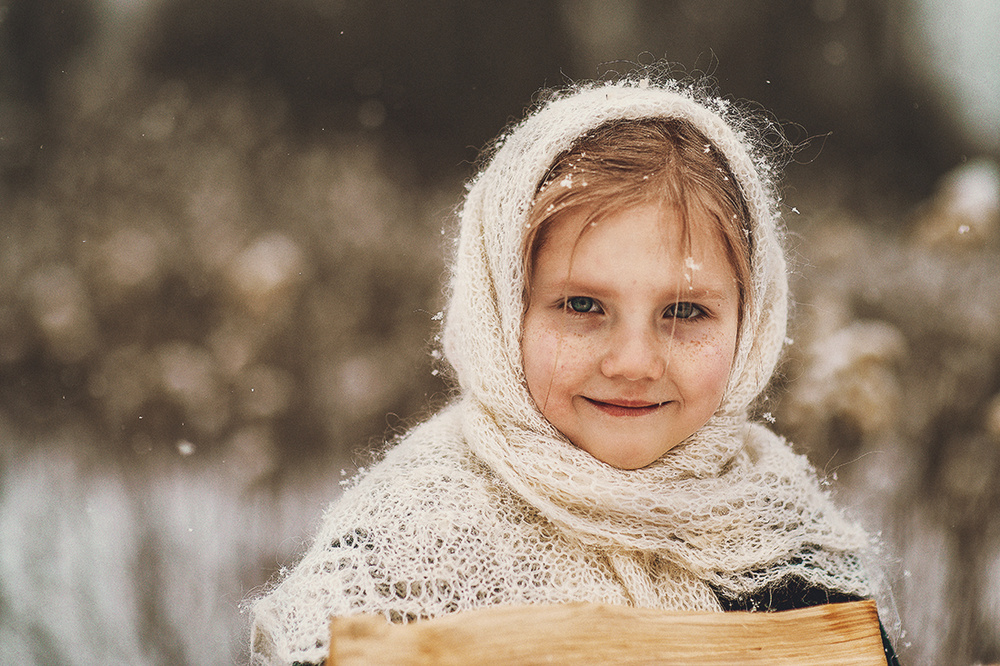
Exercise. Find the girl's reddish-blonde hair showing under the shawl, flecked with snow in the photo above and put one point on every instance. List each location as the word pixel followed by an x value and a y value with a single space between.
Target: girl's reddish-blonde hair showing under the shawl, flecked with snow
pixel 627 163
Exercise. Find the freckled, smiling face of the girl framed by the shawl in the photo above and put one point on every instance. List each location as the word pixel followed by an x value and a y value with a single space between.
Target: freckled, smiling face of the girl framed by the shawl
pixel 628 336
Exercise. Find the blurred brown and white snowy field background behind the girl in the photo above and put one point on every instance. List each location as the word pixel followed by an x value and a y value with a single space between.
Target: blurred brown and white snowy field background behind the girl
pixel 222 236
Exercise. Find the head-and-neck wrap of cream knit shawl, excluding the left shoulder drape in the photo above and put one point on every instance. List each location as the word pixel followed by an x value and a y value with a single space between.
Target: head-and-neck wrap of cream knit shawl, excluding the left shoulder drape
pixel 713 505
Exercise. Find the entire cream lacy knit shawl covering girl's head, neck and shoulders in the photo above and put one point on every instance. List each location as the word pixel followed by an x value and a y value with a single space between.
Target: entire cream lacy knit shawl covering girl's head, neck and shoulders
pixel 486 503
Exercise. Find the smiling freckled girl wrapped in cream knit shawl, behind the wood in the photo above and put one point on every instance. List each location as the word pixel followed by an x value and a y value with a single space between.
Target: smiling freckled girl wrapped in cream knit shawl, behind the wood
pixel 617 302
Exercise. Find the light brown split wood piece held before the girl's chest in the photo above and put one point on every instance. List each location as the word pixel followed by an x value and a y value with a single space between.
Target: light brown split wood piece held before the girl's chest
pixel 844 634
